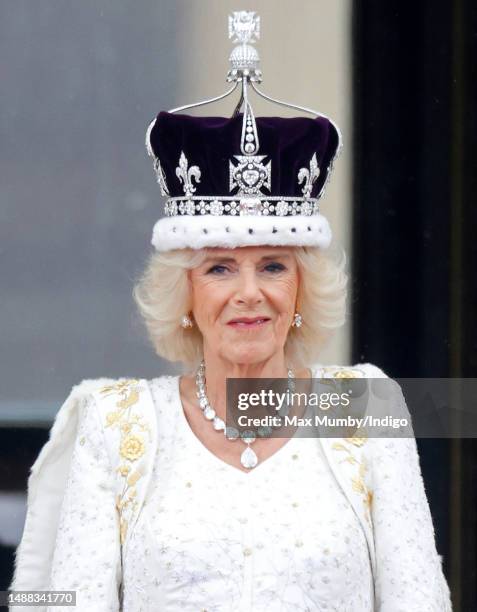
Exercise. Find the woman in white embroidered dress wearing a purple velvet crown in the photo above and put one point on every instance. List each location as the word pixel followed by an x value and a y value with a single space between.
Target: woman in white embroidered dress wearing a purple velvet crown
pixel 140 502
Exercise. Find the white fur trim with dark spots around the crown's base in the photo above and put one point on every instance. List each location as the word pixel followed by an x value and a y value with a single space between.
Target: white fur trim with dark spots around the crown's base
pixel 227 231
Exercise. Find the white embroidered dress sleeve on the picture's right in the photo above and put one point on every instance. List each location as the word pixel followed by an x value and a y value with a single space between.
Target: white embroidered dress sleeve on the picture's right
pixel 409 570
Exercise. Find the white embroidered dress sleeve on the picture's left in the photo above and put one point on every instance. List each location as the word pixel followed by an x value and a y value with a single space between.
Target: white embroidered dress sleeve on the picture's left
pixel 87 556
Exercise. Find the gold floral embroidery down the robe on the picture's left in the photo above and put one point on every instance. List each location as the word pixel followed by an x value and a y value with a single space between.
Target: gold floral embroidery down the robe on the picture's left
pixel 132 445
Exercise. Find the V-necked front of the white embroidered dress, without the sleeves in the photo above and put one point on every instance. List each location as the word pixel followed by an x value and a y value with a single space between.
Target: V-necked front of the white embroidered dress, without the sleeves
pixel 211 537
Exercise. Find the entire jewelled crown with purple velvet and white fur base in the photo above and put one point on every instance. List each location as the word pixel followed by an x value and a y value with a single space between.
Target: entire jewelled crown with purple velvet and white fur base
pixel 242 180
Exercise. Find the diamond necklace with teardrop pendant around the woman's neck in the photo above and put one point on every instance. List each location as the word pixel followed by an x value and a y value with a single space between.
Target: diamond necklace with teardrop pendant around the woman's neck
pixel 248 458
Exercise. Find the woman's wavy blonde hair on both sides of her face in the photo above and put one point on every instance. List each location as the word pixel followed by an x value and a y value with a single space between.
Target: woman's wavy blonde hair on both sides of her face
pixel 163 296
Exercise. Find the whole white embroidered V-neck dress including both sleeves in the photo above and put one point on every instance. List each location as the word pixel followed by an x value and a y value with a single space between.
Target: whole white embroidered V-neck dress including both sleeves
pixel 210 537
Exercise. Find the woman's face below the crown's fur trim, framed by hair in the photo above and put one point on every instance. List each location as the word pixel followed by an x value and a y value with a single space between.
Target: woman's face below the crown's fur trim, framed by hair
pixel 244 299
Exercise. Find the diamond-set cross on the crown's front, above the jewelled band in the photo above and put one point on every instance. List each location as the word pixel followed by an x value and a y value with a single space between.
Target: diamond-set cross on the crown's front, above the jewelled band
pixel 250 175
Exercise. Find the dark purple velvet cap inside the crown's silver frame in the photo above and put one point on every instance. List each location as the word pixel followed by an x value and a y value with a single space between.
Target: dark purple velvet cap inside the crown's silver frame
pixel 211 142
